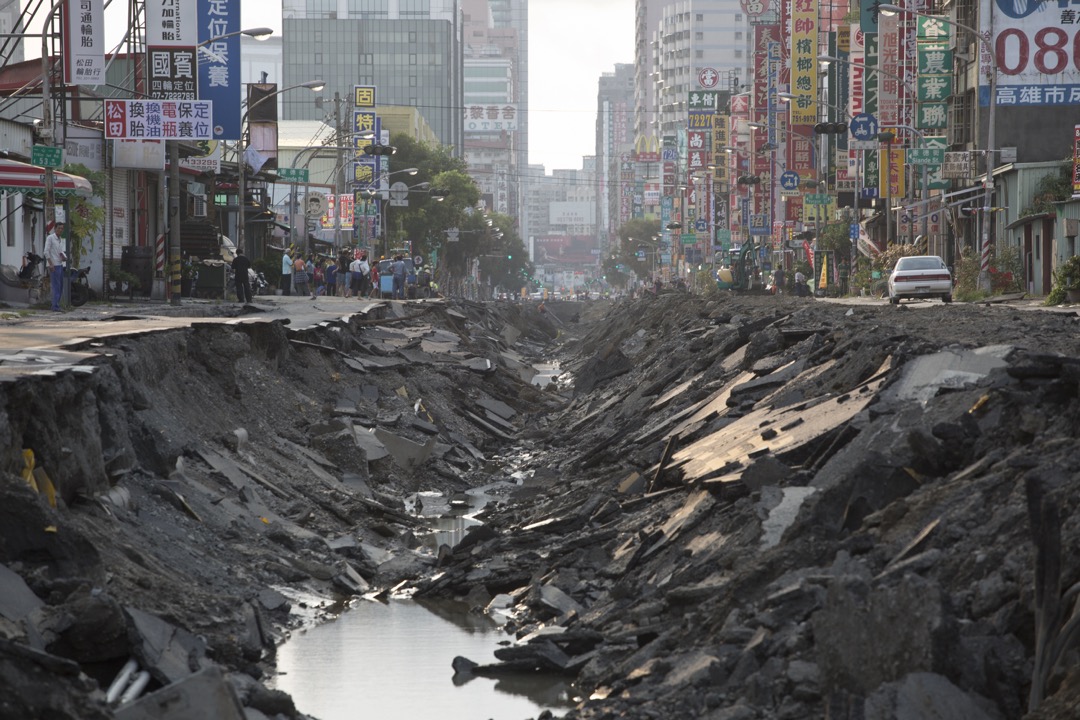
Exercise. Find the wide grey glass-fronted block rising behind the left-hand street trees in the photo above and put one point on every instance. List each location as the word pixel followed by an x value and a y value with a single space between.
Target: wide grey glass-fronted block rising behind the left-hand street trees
pixel 411 51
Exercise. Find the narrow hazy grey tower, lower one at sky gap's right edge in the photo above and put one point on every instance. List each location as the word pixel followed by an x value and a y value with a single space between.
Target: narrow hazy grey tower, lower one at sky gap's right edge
pixel 615 143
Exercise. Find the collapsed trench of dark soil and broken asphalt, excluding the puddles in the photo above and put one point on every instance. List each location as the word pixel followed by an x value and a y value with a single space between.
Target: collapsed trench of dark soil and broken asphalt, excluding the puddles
pixel 222 483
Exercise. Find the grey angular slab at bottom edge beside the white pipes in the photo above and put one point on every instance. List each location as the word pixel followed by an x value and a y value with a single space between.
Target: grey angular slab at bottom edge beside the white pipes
pixel 206 695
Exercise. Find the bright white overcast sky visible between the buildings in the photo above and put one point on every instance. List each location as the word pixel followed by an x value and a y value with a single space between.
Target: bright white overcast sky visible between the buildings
pixel 572 44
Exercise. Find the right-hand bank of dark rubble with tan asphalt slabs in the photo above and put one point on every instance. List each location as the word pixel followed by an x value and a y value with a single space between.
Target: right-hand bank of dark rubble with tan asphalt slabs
pixel 763 509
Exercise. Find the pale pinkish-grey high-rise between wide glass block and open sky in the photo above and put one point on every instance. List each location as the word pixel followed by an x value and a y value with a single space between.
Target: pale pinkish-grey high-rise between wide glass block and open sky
pixel 496 100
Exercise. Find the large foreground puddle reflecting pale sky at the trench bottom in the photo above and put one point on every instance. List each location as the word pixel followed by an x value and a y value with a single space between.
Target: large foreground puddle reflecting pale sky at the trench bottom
pixel 394 660
